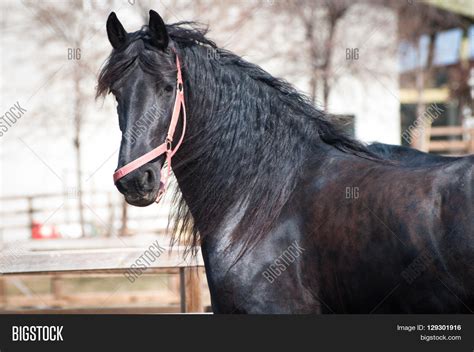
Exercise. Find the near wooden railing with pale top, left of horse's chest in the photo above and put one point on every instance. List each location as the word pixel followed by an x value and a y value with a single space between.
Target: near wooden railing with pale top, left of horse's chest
pixel 60 260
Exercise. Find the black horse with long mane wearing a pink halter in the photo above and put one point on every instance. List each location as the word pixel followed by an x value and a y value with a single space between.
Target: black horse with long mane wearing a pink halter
pixel 292 215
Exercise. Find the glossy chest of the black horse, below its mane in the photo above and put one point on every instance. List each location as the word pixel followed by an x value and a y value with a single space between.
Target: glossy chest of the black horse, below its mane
pixel 266 279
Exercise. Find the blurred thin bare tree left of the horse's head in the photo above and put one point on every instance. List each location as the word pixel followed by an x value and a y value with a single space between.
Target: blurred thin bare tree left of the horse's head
pixel 69 27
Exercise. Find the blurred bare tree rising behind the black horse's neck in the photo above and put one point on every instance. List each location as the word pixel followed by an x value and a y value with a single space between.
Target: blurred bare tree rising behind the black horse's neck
pixel 325 25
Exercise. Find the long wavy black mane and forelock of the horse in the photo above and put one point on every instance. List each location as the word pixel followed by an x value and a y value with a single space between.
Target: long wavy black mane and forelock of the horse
pixel 251 144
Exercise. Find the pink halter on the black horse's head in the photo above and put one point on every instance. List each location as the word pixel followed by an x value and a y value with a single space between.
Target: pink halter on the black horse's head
pixel 165 147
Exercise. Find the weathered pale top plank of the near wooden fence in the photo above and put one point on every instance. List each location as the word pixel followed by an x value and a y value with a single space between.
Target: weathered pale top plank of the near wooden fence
pixel 114 259
